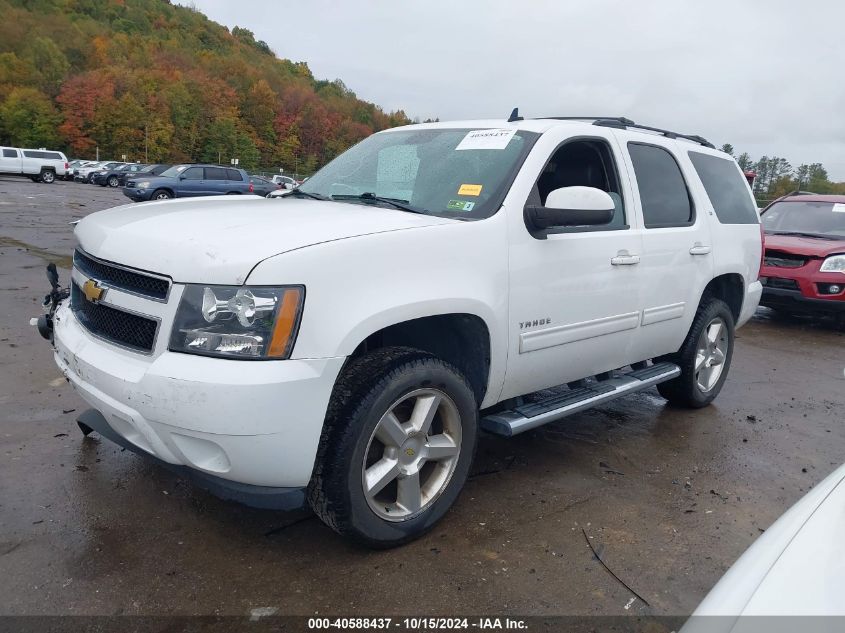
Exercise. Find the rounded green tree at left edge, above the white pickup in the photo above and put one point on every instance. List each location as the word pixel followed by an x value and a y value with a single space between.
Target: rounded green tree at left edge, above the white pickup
pixel 28 119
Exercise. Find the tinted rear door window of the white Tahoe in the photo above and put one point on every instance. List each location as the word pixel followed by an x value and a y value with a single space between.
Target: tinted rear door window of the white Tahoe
pixel 663 192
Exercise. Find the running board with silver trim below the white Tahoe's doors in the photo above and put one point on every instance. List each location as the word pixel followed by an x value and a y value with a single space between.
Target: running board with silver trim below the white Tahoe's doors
pixel 534 414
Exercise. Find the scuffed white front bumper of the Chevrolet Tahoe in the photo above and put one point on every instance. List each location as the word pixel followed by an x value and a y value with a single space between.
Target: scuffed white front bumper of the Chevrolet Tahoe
pixel 250 422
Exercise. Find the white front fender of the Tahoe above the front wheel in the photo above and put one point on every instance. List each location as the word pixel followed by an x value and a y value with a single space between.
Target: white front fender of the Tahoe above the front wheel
pixel 357 286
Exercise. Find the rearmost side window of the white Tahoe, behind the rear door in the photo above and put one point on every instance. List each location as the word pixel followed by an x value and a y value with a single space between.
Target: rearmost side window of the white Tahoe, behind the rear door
pixel 726 187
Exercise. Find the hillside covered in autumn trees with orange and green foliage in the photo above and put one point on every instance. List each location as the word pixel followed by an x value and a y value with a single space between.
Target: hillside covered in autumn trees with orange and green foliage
pixel 163 83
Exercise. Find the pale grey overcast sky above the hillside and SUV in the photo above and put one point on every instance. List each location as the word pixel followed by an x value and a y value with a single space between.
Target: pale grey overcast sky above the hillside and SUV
pixel 763 75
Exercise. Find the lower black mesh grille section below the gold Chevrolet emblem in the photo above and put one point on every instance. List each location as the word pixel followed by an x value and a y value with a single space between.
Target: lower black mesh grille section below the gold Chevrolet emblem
pixel 112 324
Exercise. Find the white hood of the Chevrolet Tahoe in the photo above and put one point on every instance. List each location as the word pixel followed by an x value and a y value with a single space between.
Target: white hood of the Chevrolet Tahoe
pixel 220 239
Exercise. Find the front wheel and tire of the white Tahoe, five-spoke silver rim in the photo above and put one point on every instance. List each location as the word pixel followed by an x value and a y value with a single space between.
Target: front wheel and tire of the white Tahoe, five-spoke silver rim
pixel 396 448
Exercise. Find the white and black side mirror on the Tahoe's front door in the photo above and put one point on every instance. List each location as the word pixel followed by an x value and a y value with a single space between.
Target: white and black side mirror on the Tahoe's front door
pixel 571 206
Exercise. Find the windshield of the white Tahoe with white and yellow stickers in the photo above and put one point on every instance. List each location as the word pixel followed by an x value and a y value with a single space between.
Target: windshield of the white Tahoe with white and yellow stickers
pixel 447 172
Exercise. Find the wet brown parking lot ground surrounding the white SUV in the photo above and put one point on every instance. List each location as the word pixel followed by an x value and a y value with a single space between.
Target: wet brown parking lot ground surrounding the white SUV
pixel 668 498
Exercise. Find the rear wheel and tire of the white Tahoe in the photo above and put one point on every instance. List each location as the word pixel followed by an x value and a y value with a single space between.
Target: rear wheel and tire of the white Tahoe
pixel 704 357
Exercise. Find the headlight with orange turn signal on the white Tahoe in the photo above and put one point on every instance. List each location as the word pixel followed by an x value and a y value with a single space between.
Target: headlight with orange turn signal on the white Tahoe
pixel 238 321
